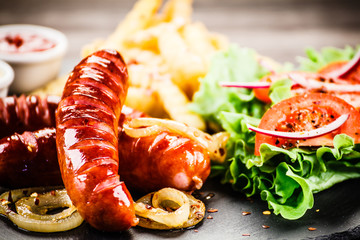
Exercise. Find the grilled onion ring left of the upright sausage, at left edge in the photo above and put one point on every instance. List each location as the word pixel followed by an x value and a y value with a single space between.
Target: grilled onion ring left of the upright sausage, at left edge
pixel 32 206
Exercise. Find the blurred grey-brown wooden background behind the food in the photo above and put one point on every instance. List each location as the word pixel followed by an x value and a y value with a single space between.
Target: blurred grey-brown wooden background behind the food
pixel 280 29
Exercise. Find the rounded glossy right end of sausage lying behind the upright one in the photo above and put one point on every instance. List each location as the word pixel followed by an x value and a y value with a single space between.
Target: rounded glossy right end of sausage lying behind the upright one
pixel 163 160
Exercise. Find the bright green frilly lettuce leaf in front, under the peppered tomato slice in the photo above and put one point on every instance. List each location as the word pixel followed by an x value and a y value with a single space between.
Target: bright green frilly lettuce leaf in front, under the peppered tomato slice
pixel 286 179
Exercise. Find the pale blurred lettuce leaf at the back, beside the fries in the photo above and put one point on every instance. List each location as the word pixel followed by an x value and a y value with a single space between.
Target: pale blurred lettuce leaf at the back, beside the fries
pixel 235 65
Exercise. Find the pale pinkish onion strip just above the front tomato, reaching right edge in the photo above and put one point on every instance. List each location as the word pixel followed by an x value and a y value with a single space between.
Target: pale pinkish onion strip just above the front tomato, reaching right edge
pixel 330 87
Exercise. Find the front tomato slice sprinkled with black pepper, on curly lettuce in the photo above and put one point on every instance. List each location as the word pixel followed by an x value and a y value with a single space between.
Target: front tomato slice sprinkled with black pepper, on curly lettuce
pixel 304 113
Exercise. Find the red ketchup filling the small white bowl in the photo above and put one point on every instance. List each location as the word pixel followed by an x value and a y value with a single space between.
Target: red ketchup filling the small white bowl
pixel 24 43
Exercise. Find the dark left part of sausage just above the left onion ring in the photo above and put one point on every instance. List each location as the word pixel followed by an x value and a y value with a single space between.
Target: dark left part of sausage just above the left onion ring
pixel 29 160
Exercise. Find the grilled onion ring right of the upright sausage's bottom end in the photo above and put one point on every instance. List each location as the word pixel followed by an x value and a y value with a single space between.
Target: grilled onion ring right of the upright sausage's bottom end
pixel 169 209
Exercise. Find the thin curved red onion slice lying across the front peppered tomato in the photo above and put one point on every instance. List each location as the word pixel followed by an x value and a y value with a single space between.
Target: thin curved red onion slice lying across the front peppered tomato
pixel 303 135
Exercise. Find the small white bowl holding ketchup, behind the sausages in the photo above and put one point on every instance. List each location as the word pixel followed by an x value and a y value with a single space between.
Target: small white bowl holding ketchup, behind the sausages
pixel 35 68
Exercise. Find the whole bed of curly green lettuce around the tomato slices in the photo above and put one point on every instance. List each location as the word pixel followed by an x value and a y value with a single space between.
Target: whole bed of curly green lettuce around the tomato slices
pixel 286 179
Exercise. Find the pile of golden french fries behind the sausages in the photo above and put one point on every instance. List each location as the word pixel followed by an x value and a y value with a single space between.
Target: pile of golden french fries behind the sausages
pixel 166 53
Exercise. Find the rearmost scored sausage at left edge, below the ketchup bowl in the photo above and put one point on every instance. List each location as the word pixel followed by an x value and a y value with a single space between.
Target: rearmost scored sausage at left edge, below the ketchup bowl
pixel 26 113
